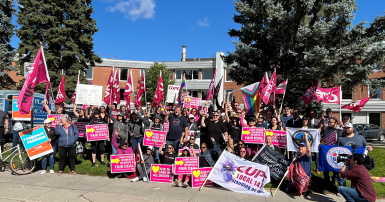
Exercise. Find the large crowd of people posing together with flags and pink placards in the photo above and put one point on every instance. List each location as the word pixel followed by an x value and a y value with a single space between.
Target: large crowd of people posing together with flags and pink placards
pixel 220 130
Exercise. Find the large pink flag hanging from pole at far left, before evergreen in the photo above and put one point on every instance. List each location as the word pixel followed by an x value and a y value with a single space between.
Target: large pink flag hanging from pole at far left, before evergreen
pixel 38 74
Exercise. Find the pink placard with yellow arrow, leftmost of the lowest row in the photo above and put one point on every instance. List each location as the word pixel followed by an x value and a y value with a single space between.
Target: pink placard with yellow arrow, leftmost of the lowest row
pixel 123 163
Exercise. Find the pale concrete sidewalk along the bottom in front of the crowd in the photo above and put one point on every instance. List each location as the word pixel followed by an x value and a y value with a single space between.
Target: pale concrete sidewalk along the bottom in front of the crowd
pixel 50 187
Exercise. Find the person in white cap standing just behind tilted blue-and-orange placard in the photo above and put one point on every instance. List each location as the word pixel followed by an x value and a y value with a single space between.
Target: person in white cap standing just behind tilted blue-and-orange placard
pixel 52 136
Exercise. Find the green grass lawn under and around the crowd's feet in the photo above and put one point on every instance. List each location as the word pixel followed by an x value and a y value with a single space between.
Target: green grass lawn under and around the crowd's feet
pixel 317 183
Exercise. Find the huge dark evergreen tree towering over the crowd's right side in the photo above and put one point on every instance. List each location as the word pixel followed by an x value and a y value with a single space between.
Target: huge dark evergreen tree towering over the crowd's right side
pixel 305 41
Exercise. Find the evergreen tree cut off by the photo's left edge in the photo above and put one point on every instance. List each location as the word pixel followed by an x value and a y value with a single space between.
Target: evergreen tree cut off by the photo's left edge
pixel 6 50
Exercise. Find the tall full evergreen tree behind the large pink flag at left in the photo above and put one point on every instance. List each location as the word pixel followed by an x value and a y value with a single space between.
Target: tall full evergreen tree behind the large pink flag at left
pixel 65 29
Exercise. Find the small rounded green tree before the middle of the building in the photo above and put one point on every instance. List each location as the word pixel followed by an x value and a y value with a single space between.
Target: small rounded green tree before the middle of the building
pixel 152 78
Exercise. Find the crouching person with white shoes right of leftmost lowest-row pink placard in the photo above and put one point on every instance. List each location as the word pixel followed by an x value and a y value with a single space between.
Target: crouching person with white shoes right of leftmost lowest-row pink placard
pixel 144 168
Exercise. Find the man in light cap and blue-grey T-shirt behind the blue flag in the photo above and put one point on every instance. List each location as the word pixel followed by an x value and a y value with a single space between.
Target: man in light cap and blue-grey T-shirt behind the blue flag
pixel 351 140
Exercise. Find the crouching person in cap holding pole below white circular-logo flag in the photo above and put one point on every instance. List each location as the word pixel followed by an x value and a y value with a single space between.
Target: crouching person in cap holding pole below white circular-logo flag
pixel 304 159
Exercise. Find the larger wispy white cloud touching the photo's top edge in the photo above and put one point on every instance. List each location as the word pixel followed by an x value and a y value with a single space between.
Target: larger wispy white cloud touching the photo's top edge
pixel 134 9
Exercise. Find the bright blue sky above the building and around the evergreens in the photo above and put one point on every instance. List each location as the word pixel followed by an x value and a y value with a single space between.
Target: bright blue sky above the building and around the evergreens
pixel 154 30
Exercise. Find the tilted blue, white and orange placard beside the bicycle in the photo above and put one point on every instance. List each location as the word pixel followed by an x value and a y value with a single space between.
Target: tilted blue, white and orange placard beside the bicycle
pixel 36 143
